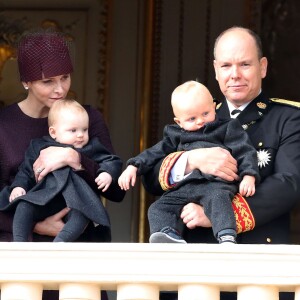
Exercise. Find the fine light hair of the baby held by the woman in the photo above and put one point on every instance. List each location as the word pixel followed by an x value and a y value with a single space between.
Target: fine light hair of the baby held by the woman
pixel 59 106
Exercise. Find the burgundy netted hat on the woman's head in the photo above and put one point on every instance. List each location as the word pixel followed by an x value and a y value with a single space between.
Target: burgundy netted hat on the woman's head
pixel 43 54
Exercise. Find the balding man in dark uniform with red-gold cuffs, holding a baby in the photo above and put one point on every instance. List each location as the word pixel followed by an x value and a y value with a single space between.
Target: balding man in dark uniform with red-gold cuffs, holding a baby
pixel 273 126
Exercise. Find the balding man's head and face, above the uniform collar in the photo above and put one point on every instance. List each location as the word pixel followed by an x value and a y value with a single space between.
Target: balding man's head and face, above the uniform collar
pixel 238 69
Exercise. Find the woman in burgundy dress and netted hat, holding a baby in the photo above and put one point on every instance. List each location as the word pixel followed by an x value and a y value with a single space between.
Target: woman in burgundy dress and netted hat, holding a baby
pixel 45 68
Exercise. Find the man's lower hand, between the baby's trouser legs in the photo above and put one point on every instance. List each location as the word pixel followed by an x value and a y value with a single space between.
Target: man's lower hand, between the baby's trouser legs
pixel 193 216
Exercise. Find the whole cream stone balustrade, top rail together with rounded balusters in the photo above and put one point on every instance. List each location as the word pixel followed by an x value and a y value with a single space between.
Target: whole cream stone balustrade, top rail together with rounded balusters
pixel 140 271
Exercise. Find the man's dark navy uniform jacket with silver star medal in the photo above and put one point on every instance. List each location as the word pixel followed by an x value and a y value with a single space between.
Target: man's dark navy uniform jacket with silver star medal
pixel 274 129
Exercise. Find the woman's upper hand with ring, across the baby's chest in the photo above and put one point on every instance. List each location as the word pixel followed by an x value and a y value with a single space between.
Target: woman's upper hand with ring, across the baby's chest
pixel 53 158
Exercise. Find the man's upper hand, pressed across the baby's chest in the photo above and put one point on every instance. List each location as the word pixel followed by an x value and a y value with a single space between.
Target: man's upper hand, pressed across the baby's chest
pixel 215 161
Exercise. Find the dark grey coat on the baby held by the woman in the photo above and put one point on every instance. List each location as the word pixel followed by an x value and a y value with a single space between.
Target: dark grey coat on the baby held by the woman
pixel 76 192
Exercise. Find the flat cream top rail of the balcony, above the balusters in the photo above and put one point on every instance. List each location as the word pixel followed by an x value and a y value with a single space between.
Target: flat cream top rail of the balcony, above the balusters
pixel 165 265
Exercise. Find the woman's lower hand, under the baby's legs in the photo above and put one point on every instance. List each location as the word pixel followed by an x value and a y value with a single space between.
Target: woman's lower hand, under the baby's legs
pixel 52 225
